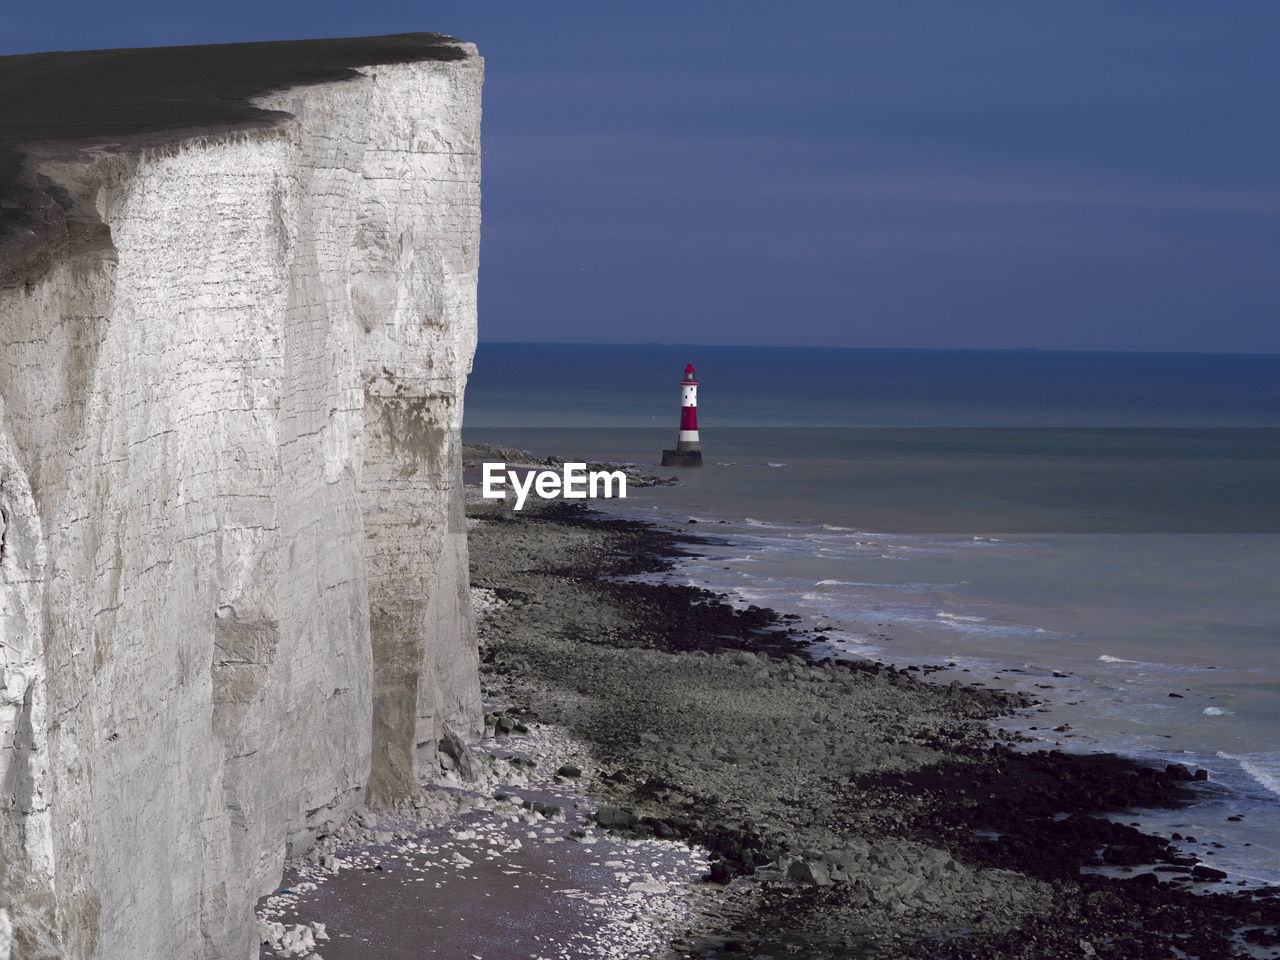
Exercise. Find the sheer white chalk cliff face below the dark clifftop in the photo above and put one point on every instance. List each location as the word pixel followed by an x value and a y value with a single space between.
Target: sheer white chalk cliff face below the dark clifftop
pixel 234 588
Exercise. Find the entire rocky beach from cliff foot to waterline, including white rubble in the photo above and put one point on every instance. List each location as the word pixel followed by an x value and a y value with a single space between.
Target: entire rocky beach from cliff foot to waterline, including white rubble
pixel 687 778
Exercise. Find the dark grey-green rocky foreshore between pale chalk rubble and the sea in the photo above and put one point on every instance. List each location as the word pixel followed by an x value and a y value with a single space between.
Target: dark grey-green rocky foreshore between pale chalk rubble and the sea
pixel 852 808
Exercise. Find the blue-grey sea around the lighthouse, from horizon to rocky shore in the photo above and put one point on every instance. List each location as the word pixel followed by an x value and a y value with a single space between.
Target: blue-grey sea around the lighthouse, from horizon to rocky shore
pixel 1099 531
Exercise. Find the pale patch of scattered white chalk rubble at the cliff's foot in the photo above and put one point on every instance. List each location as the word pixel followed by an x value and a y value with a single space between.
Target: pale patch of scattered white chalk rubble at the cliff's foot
pixel 505 863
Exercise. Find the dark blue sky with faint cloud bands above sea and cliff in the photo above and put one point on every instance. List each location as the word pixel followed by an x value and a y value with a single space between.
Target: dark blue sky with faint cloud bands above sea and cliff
pixel 1086 176
